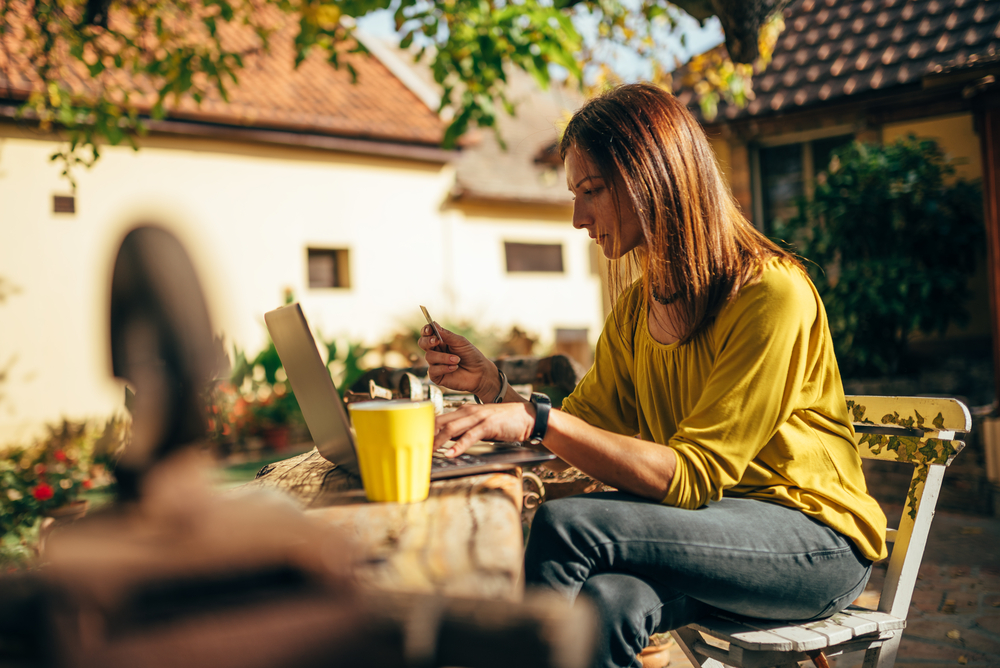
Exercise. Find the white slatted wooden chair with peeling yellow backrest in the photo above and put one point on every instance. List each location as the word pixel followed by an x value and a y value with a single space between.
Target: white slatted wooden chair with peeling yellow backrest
pixel 912 430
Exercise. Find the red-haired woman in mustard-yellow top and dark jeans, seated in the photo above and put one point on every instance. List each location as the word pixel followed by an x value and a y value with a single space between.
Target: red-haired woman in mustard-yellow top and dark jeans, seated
pixel 715 405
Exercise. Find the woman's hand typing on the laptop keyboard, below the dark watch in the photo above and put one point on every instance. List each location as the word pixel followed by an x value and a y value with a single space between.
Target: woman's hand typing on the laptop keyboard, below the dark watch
pixel 473 423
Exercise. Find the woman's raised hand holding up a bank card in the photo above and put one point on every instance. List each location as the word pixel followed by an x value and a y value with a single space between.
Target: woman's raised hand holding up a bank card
pixel 457 364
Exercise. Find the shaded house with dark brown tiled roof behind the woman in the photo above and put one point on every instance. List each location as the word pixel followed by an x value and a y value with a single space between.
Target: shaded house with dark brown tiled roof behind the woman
pixel 876 70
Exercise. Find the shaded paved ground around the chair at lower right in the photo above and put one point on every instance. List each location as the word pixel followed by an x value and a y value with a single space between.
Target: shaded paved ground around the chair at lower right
pixel 954 616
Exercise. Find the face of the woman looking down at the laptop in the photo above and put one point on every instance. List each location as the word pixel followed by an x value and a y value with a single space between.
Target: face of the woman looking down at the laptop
pixel 594 208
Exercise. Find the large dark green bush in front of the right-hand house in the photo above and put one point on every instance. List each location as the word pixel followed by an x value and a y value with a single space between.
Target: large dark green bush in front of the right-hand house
pixel 892 239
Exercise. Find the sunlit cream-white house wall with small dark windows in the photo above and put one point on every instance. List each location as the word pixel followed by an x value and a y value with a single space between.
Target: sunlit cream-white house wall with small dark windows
pixel 246 215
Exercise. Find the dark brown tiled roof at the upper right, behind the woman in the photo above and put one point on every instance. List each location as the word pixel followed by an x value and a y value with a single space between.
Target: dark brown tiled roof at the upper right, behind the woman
pixel 839 49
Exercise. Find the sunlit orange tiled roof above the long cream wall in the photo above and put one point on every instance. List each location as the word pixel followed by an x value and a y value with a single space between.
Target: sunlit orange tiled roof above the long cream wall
pixel 272 94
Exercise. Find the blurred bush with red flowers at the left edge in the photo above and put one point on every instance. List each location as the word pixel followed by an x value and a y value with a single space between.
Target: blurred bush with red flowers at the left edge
pixel 55 470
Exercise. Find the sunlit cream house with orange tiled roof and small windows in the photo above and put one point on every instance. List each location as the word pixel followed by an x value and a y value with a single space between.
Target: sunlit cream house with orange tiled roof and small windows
pixel 302 182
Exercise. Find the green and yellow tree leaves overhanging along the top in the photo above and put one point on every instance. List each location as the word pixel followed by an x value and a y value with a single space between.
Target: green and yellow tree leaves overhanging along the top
pixel 135 58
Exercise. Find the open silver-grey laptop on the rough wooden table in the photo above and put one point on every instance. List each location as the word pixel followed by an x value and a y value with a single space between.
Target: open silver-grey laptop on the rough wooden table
pixel 326 418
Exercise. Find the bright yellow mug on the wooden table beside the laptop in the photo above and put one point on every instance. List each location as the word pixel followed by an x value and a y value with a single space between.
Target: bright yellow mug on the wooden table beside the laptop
pixel 395 441
